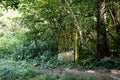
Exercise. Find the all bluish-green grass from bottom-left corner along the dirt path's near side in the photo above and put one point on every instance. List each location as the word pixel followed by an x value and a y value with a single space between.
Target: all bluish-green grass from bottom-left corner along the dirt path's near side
pixel 22 70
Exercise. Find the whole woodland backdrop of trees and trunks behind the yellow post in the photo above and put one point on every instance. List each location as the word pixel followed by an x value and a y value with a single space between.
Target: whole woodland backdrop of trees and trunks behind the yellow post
pixel 42 22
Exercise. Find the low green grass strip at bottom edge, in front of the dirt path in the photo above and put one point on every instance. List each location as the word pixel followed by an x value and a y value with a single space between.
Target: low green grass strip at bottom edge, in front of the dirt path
pixel 67 76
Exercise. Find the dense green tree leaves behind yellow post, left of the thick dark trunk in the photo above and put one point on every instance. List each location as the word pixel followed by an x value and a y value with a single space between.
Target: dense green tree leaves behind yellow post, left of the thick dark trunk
pixel 41 23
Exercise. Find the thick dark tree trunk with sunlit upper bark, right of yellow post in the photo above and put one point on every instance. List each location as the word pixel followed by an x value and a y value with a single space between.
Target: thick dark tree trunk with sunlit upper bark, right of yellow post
pixel 102 46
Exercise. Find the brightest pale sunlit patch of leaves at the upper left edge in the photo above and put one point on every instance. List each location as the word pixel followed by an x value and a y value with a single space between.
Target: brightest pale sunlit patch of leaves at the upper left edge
pixel 7 25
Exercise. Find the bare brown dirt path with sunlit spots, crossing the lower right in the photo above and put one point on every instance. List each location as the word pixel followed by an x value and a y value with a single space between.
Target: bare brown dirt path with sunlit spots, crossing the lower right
pixel 101 72
